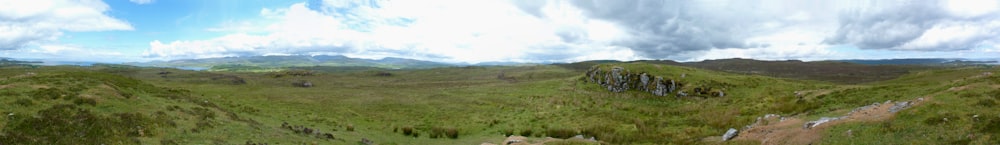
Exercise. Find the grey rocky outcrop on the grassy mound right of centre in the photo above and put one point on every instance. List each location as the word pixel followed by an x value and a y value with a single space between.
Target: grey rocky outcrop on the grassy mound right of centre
pixel 618 79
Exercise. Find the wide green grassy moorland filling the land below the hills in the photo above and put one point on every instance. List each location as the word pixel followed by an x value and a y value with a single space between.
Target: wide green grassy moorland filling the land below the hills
pixel 467 105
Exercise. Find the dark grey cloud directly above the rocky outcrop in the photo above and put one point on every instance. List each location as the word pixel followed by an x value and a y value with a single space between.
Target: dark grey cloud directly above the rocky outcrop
pixel 667 29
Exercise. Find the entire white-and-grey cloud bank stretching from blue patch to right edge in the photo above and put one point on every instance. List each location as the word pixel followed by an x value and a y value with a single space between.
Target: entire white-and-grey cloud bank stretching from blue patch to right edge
pixel 477 31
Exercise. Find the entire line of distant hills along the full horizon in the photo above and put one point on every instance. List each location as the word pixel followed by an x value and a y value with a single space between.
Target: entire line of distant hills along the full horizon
pixel 255 63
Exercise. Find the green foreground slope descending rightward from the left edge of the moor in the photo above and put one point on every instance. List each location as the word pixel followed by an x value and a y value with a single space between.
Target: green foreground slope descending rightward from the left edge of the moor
pixel 71 105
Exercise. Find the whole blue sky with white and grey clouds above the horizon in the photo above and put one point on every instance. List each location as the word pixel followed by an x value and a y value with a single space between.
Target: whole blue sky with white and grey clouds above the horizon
pixel 472 31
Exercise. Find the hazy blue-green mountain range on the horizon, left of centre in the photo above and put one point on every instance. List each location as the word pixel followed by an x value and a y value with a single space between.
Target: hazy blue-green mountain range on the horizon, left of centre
pixel 275 62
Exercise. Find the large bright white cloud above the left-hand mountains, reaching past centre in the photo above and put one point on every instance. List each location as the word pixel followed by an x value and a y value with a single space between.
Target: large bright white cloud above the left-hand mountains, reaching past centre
pixel 452 31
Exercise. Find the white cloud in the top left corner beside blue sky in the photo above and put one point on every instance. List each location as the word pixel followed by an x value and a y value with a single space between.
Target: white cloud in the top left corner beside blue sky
pixel 24 23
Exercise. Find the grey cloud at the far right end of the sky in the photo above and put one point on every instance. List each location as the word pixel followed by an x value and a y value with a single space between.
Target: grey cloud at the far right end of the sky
pixel 894 24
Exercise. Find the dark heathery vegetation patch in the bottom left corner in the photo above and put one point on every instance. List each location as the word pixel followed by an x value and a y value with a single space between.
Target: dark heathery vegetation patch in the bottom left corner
pixel 68 124
